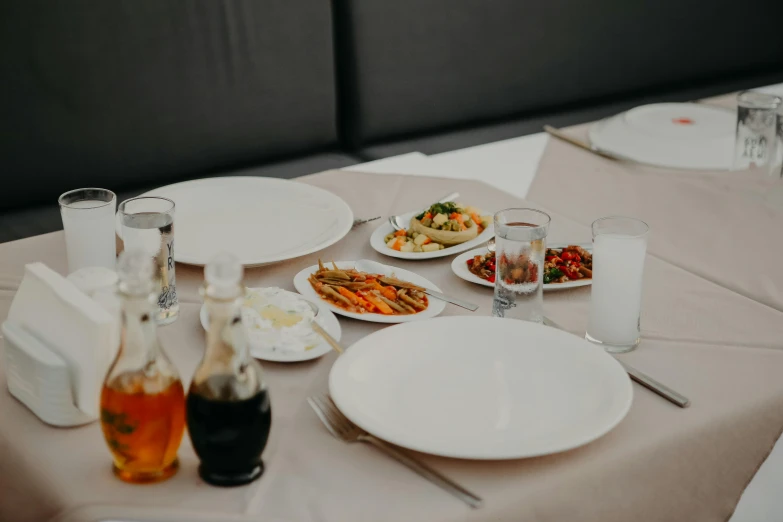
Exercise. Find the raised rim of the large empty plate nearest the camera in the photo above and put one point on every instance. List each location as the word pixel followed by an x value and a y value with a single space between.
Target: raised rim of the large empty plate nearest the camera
pixel 367 340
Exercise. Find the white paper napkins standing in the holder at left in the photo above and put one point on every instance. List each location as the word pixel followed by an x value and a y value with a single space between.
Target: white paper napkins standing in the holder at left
pixel 74 326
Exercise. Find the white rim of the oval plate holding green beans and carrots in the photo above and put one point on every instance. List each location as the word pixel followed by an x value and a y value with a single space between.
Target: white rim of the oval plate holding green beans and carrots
pixel 435 307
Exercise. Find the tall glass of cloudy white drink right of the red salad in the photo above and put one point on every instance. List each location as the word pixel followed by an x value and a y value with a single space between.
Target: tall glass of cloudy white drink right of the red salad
pixel 619 248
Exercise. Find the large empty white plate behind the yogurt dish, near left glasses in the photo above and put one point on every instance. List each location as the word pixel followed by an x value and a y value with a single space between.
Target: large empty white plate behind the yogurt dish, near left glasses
pixel 260 220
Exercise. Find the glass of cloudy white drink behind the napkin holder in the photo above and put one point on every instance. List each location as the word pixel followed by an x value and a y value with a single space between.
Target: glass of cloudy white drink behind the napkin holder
pixel 88 221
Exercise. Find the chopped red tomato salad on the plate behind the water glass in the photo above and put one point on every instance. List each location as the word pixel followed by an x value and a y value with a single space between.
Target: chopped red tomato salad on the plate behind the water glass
pixel 560 265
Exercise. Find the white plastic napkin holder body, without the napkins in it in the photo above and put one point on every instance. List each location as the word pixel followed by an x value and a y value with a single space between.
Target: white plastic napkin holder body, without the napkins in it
pixel 39 378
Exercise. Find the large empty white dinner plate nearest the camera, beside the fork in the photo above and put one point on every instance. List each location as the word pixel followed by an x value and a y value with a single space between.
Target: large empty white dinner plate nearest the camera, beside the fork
pixel 480 388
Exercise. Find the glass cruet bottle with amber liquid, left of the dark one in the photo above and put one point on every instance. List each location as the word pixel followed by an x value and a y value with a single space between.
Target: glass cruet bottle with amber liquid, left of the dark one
pixel 142 400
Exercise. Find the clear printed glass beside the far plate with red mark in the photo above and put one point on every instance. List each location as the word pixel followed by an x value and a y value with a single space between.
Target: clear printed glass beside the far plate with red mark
pixel 757 131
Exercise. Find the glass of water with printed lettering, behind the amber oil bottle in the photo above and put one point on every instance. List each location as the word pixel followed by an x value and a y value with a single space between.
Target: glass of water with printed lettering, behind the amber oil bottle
pixel 147 224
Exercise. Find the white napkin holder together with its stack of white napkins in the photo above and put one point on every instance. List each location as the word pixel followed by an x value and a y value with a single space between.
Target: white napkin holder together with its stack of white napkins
pixel 59 346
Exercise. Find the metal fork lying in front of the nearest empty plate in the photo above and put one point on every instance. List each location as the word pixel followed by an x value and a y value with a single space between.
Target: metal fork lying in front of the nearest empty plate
pixel 343 429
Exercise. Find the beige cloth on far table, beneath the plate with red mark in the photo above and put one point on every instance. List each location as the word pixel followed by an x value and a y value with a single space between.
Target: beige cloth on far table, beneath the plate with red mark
pixel 723 226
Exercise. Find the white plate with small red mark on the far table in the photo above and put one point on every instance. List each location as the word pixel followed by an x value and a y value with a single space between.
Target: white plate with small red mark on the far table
pixel 672 135
